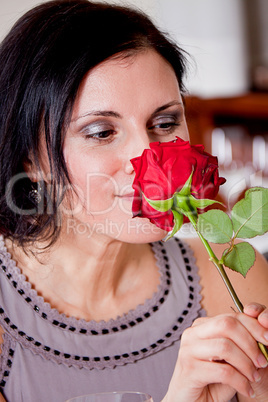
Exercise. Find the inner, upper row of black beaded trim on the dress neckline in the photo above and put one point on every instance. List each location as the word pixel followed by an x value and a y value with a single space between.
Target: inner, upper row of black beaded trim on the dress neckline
pixel 103 331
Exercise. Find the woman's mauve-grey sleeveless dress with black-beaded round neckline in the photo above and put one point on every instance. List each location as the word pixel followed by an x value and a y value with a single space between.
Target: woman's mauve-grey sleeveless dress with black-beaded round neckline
pixel 49 357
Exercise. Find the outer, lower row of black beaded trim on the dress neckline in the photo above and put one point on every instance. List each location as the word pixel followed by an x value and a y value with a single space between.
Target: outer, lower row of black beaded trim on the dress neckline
pixel 90 362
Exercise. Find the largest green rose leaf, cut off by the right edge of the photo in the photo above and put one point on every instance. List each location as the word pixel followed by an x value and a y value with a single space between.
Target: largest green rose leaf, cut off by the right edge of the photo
pixel 250 215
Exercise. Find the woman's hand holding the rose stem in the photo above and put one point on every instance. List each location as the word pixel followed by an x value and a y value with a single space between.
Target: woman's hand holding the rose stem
pixel 219 357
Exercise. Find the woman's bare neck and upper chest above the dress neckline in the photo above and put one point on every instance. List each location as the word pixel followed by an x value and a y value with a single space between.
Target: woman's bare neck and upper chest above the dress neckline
pixel 94 278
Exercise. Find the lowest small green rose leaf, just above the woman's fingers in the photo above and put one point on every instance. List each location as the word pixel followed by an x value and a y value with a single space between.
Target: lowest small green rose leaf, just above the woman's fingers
pixel 240 258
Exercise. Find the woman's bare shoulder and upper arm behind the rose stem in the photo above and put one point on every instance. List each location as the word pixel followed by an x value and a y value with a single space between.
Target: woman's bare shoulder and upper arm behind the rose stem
pixel 215 296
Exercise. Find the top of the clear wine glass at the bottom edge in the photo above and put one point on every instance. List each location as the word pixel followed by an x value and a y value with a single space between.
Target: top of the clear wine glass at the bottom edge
pixel 118 396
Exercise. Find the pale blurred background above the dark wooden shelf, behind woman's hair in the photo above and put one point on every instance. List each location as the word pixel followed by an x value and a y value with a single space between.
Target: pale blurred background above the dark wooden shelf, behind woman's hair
pixel 228 39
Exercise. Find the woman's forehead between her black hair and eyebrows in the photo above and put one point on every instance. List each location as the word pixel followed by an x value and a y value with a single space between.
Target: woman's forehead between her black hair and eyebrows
pixel 120 81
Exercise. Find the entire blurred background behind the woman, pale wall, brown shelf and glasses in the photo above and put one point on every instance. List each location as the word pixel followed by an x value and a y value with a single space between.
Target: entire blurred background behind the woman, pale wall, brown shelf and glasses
pixel 227 81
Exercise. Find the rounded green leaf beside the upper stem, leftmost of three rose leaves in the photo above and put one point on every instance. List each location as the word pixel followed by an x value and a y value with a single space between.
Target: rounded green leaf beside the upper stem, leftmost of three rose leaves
pixel 215 226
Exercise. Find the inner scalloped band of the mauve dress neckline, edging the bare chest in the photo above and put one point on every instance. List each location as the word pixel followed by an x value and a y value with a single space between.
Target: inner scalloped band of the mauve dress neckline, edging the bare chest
pixel 45 310
